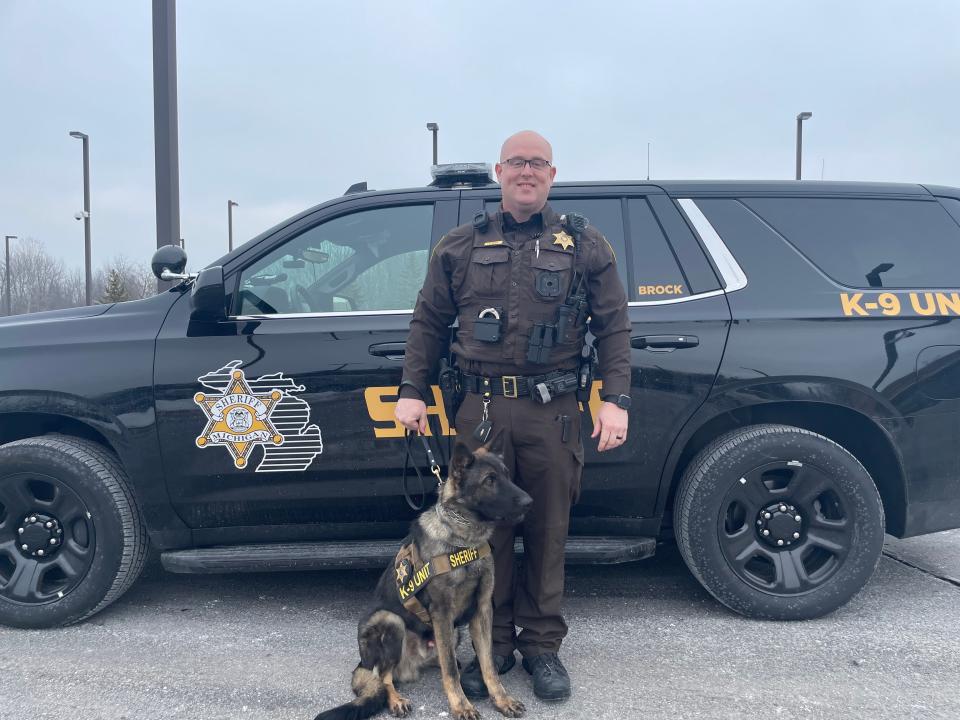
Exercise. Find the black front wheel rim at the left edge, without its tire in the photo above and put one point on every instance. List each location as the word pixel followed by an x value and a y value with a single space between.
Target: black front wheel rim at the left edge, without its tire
pixel 47 541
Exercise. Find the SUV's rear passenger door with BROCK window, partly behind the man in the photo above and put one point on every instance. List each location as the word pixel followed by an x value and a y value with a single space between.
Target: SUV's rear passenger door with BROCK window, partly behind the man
pixel 679 319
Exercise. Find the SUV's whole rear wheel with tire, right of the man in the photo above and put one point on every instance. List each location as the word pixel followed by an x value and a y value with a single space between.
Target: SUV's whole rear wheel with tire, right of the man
pixel 764 477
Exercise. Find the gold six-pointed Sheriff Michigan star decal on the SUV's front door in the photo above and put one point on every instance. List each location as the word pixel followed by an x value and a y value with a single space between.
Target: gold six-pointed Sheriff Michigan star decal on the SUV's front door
pixel 239 419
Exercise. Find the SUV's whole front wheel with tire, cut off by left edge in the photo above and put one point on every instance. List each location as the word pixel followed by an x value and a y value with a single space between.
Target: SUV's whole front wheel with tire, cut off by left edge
pixel 68 500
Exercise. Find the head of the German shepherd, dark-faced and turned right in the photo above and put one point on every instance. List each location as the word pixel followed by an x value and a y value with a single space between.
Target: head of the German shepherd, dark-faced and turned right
pixel 479 485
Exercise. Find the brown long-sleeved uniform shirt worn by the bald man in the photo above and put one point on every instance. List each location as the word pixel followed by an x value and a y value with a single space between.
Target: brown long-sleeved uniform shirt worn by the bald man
pixel 471 270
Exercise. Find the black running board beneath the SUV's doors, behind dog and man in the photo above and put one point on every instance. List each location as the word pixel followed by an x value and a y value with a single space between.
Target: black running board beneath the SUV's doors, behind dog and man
pixel 376 554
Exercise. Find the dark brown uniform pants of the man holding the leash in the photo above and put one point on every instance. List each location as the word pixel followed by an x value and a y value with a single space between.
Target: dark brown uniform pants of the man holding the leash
pixel 548 469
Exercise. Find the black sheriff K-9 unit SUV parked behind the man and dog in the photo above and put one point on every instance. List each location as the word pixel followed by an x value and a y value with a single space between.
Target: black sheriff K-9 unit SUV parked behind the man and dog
pixel 795 384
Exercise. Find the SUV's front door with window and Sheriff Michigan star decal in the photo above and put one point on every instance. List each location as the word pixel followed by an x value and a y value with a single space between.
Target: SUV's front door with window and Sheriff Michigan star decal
pixel 279 419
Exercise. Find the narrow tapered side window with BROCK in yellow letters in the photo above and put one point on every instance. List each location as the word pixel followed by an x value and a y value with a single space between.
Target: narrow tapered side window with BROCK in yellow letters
pixel 656 272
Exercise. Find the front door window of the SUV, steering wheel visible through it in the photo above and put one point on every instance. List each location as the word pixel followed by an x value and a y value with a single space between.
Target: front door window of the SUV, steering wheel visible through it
pixel 371 260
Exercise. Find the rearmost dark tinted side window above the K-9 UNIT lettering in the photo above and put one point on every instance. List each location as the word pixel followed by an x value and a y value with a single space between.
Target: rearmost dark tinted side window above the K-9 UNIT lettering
pixel 869 242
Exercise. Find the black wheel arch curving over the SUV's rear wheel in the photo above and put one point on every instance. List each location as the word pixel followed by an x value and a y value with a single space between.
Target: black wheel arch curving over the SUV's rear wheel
pixel 856 431
